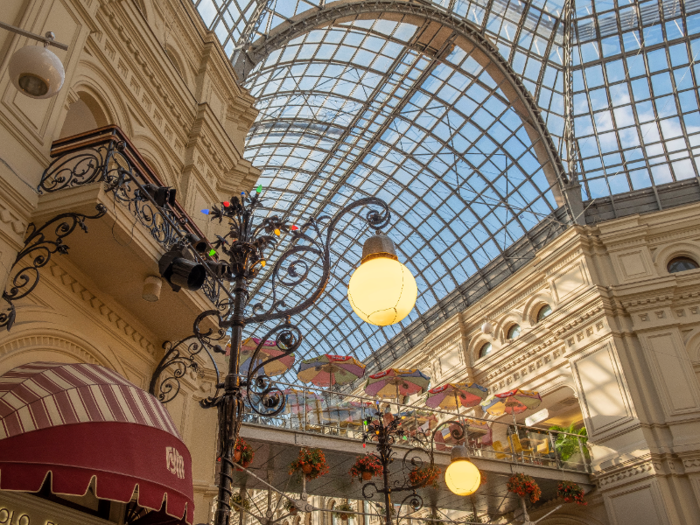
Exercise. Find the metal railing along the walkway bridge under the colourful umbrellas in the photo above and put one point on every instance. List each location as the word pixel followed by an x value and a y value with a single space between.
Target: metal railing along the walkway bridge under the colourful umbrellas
pixel 331 413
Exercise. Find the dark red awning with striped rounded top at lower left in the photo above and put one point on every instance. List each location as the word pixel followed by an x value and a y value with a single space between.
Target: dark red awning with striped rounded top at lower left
pixel 81 421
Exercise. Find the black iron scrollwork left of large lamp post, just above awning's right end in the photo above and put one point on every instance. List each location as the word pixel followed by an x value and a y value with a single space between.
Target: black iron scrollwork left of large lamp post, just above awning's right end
pixel 182 356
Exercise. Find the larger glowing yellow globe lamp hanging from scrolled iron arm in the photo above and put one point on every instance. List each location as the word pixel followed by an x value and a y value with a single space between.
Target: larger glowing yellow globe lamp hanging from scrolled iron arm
pixel 382 291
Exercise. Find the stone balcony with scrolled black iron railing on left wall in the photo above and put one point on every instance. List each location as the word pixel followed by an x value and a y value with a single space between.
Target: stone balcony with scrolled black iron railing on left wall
pixel 123 247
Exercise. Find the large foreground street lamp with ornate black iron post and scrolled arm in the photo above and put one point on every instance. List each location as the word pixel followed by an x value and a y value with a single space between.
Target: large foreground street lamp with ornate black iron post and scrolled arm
pixel 241 254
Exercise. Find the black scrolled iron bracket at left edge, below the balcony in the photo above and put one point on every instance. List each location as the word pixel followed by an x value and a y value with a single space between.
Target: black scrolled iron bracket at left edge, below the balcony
pixel 40 245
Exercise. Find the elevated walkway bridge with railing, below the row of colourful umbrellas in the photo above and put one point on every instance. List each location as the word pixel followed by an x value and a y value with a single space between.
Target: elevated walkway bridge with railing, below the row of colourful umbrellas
pixel 332 422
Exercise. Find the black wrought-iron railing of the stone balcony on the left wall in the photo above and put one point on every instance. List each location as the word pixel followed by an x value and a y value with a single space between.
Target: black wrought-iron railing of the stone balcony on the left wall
pixel 107 156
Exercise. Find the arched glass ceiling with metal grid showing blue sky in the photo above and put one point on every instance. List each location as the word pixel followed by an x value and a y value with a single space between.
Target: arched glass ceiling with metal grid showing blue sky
pixel 359 107
